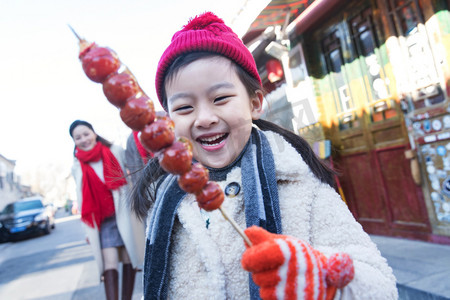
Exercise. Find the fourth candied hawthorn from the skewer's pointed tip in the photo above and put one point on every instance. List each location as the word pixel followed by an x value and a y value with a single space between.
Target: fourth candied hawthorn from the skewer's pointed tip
pixel 158 135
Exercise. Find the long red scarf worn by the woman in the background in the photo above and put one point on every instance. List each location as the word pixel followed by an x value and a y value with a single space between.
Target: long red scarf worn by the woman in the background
pixel 98 201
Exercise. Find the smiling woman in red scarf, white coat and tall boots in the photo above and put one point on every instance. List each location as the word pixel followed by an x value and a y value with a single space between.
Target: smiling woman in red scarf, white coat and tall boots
pixel 113 233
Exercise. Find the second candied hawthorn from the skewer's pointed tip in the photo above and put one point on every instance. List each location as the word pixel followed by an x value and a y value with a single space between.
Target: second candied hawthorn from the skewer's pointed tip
pixel 119 87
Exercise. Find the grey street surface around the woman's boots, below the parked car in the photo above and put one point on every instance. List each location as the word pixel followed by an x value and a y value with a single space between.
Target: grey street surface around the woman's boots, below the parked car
pixel 58 266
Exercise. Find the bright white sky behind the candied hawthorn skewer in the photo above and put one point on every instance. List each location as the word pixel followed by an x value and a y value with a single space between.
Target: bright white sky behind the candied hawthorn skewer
pixel 42 85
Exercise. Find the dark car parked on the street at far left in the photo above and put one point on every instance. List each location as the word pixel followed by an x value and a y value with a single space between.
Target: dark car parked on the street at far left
pixel 25 217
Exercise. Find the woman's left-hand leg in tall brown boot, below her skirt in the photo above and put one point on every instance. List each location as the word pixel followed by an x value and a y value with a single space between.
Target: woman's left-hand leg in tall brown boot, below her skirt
pixel 111 275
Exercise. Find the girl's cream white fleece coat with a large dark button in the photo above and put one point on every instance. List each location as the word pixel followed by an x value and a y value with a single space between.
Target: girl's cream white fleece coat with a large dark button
pixel 206 263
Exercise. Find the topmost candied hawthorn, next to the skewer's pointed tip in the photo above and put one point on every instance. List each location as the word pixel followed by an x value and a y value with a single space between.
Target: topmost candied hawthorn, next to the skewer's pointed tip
pixel 99 62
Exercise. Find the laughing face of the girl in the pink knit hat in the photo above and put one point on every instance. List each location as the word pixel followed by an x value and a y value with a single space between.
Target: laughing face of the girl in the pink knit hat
pixel 211 107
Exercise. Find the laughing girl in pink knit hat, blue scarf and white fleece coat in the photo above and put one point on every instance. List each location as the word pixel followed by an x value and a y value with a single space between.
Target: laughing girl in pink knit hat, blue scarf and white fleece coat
pixel 208 83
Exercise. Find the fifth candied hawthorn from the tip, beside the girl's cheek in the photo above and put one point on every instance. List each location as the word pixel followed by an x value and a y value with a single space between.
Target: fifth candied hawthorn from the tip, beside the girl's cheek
pixel 177 158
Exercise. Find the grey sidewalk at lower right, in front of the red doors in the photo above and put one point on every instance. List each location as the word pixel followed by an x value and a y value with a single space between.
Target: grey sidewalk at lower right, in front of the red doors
pixel 422 269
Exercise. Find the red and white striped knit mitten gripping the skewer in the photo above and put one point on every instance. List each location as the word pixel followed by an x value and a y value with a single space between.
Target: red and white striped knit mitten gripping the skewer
pixel 288 268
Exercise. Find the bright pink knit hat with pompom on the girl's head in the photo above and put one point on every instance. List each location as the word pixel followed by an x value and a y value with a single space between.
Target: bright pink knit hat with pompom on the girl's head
pixel 205 32
